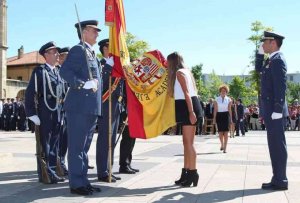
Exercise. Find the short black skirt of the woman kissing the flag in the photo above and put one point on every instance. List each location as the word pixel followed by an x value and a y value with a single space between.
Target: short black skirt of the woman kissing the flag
pixel 182 112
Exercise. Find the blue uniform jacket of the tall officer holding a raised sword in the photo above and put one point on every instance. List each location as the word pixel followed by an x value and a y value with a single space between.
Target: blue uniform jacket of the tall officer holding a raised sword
pixel 75 72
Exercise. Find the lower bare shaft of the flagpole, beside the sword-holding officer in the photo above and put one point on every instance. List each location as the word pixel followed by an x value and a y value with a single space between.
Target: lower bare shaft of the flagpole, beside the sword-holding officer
pixel 109 132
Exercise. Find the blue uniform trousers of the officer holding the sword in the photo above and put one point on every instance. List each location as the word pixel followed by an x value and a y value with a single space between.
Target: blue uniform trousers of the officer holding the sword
pixel 80 127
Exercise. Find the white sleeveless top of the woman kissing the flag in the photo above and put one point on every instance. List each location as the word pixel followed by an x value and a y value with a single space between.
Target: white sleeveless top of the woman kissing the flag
pixel 178 93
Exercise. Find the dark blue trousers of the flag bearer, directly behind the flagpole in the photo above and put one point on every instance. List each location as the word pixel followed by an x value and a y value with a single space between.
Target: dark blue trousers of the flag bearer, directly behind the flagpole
pixel 102 140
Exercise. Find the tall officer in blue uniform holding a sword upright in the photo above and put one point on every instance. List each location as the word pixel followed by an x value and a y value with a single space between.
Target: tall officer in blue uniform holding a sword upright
pixel 82 104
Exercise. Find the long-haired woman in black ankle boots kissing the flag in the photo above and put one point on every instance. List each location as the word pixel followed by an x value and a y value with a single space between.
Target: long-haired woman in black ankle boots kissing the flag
pixel 181 85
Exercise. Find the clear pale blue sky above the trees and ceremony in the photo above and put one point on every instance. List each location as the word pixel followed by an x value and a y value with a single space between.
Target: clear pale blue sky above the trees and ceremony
pixel 212 32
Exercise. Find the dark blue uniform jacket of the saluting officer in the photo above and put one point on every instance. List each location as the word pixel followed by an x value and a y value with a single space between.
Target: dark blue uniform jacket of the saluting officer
pixel 273 80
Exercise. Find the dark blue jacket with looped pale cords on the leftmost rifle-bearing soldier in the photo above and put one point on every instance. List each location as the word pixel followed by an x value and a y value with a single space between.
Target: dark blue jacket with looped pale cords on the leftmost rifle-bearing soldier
pixel 30 91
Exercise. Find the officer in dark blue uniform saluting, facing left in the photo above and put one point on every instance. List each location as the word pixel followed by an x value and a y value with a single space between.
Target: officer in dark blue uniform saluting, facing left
pixel 273 89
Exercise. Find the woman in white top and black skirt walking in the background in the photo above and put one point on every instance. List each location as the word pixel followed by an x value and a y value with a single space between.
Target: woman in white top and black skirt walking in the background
pixel 223 115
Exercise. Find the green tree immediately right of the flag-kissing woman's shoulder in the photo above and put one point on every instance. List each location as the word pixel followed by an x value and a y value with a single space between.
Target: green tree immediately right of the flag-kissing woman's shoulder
pixel 201 89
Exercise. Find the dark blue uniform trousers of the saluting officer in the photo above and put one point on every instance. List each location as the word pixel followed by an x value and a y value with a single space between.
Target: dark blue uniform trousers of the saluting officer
pixel 277 144
